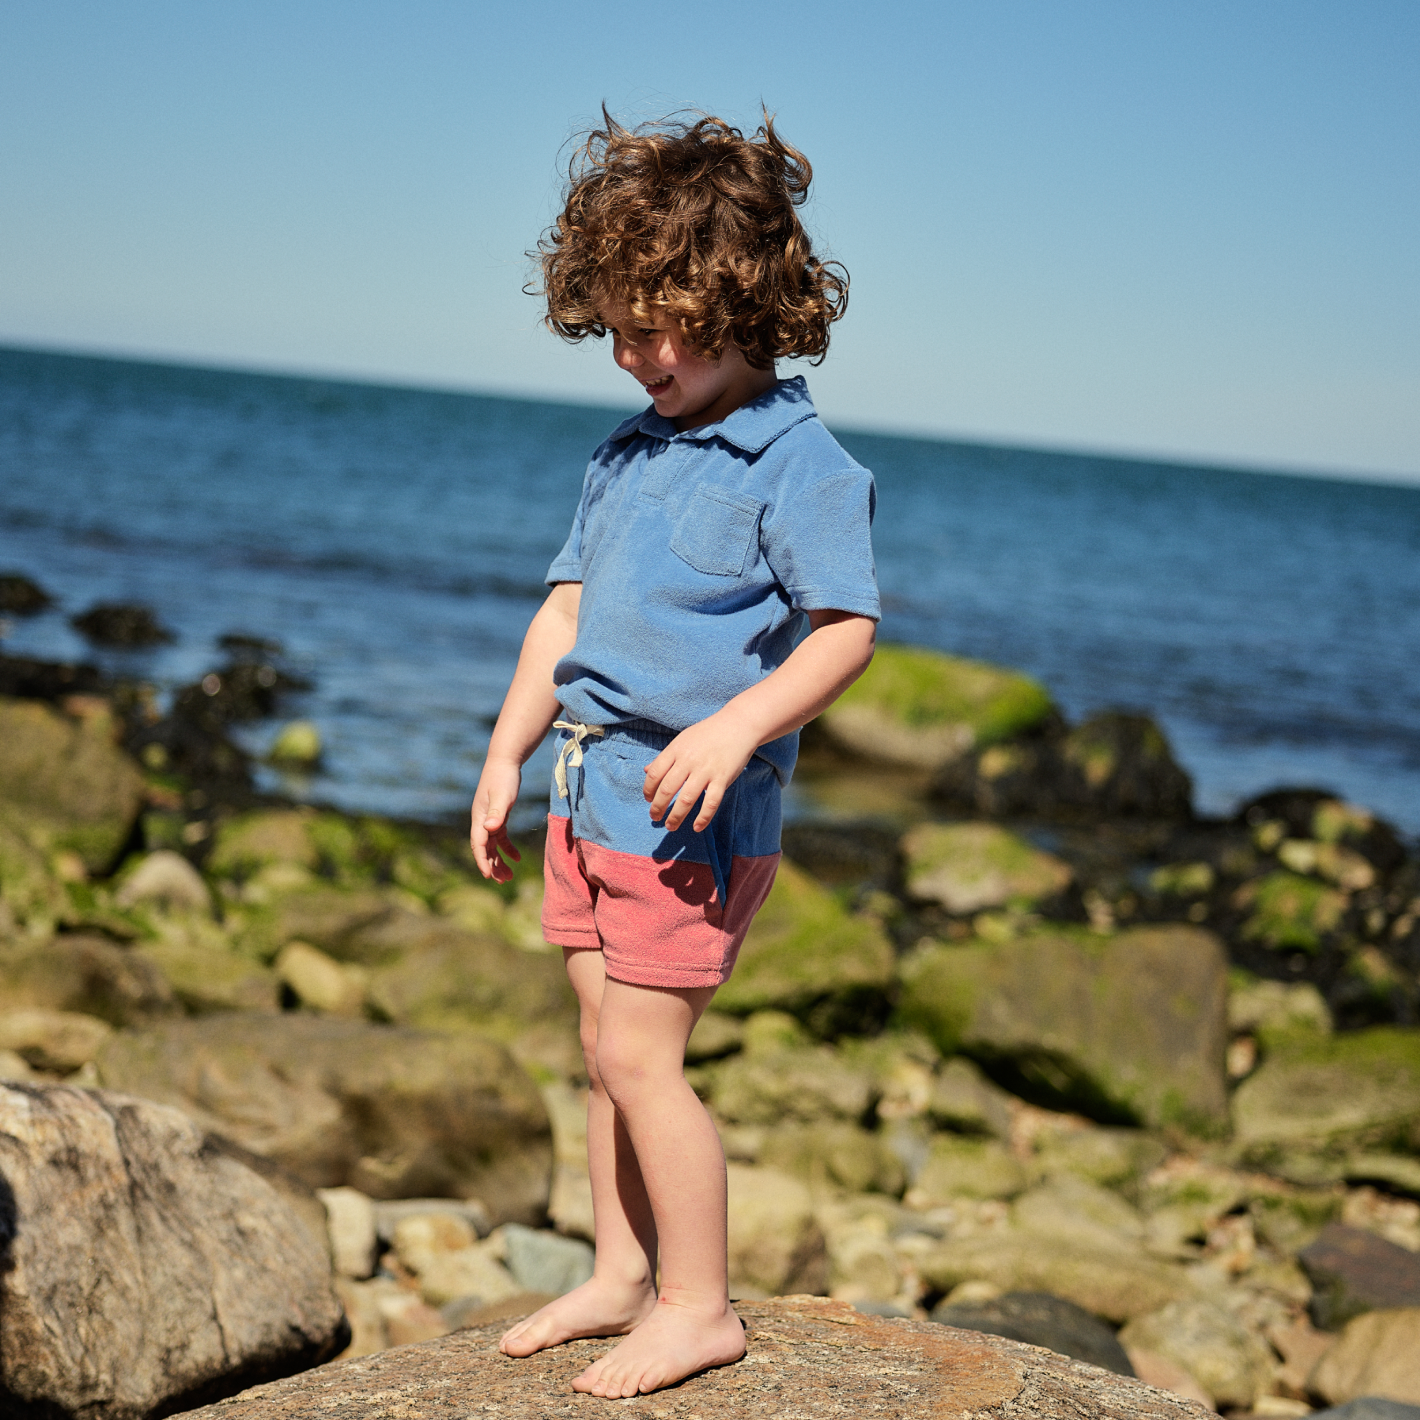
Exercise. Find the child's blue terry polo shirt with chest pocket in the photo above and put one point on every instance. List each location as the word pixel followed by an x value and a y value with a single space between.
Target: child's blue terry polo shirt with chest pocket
pixel 699 555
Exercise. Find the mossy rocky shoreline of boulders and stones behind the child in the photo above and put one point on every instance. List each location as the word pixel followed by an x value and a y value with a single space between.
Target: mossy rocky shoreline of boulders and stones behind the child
pixel 1019 1046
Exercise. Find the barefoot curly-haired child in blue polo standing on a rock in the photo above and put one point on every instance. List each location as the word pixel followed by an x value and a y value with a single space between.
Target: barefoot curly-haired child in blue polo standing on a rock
pixel 715 596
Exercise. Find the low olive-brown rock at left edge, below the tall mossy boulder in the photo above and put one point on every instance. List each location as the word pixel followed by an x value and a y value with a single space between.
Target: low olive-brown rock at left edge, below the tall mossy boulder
pixel 90 975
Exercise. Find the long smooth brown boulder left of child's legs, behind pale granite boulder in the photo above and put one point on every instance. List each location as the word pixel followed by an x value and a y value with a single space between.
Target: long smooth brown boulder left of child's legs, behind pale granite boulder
pixel 386 1110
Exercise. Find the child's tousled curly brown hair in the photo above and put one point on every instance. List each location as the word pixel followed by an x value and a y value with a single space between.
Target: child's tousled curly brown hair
pixel 697 222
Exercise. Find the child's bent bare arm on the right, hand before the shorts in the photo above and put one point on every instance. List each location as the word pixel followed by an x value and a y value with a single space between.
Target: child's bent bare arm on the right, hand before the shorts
pixel 711 756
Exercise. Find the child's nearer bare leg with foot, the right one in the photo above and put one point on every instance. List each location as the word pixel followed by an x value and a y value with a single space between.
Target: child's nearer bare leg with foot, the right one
pixel 640 1057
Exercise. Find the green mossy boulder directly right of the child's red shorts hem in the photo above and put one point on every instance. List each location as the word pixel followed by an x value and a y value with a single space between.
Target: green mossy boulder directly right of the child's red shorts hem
pixel 807 955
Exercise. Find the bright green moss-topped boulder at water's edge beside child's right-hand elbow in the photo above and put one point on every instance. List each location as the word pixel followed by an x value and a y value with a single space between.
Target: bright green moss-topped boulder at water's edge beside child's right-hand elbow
pixel 924 709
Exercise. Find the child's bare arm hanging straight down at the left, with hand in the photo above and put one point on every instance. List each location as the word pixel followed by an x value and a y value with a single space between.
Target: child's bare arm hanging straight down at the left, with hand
pixel 529 711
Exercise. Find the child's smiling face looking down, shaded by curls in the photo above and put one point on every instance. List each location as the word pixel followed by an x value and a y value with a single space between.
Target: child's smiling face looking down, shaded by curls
pixel 687 388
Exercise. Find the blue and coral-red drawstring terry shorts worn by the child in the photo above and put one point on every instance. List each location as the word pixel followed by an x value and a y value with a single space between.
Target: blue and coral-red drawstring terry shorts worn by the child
pixel 667 910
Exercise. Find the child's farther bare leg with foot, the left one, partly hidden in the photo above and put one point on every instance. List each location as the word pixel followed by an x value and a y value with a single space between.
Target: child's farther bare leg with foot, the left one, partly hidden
pixel 623 1289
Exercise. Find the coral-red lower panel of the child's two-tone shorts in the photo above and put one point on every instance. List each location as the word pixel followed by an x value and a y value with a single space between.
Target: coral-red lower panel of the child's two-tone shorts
pixel 657 924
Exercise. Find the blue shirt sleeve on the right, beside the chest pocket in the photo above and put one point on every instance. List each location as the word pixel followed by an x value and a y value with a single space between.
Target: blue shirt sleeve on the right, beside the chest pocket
pixel 819 542
